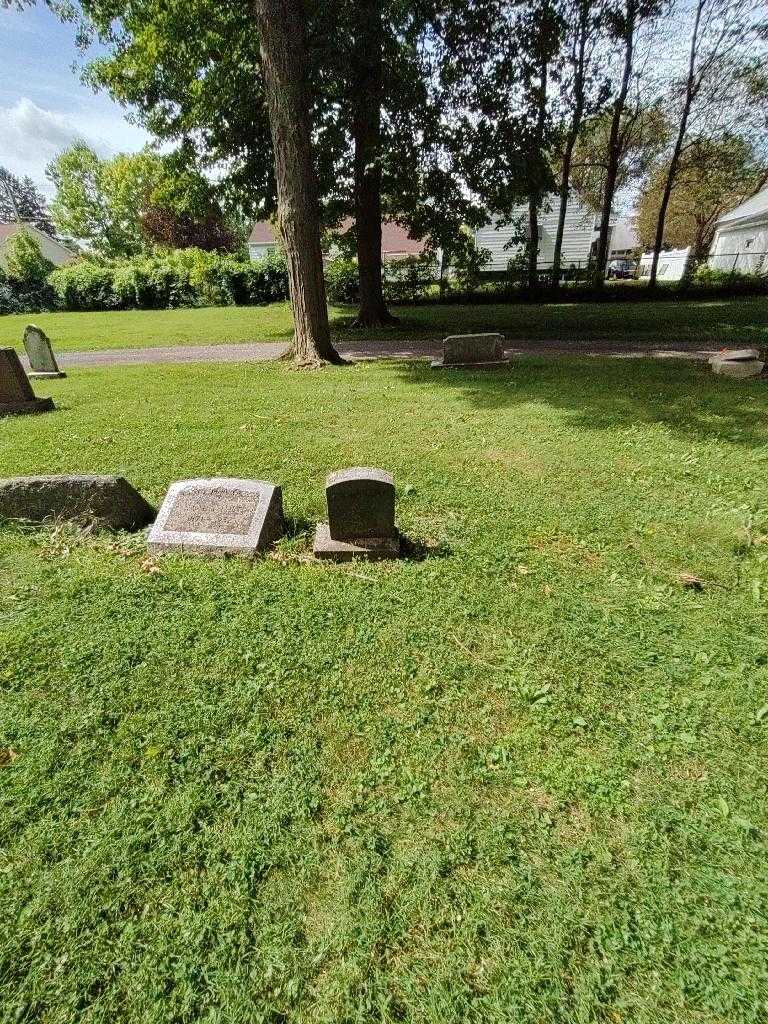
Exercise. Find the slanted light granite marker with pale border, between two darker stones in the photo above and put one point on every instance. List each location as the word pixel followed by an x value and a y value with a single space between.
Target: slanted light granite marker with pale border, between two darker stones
pixel 219 517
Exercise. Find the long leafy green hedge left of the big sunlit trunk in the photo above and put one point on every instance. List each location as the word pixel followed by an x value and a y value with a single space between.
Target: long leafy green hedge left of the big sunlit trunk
pixel 169 280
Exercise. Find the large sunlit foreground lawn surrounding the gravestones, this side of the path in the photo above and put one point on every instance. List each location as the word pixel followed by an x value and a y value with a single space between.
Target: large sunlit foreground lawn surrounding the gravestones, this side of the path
pixel 520 779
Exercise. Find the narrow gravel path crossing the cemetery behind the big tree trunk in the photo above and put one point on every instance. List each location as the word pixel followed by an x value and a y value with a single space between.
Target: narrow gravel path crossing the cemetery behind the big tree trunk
pixel 393 350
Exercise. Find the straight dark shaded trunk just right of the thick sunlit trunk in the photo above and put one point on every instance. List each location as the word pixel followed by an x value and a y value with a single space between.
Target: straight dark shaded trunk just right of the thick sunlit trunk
pixel 367 92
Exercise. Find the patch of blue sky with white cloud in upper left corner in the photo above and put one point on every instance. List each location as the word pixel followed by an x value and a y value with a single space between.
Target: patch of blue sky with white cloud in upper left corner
pixel 44 105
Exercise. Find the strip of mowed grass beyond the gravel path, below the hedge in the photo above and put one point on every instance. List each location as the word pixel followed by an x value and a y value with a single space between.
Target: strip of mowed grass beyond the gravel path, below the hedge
pixel 737 322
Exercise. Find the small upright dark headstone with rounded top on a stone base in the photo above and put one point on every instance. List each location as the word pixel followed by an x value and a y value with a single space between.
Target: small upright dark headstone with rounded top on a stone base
pixel 361 517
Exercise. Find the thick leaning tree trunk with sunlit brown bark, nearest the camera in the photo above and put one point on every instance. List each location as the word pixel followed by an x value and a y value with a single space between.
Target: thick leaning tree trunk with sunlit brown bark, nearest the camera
pixel 284 62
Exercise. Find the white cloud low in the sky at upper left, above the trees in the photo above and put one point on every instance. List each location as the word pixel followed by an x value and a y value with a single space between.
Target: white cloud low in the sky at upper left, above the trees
pixel 31 137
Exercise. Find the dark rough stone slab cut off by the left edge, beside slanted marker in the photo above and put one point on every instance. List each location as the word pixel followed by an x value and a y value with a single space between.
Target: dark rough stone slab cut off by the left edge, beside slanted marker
pixel 109 502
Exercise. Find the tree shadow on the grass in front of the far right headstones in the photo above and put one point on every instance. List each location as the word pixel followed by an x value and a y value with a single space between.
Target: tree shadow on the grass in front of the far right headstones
pixel 604 395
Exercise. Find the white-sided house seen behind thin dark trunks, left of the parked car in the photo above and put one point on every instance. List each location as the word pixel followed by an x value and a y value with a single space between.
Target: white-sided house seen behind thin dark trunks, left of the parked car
pixel 582 226
